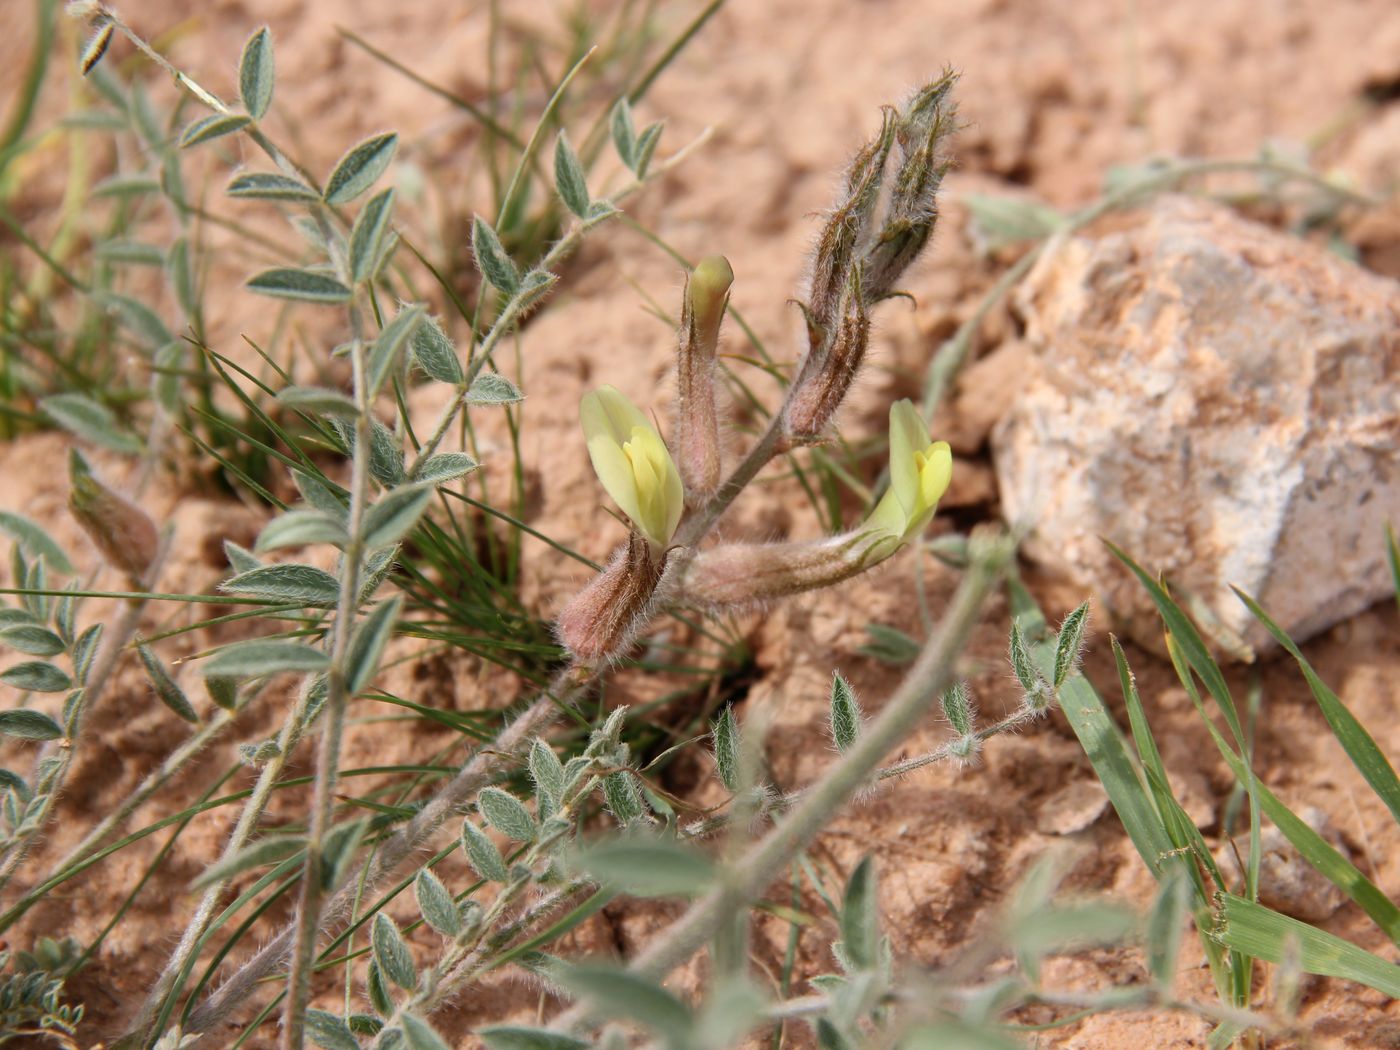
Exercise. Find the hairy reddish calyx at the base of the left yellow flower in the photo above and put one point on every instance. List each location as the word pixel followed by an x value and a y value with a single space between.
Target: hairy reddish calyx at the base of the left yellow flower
pixel 603 619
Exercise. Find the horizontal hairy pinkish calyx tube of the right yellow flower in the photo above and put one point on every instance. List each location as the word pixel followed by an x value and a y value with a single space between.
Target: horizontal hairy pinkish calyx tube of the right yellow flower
pixel 740 575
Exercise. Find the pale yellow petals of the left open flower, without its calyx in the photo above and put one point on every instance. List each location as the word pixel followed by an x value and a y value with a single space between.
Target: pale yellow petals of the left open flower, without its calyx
pixel 633 464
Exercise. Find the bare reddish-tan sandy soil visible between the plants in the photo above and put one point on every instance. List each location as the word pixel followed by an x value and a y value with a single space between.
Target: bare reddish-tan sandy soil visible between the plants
pixel 1053 96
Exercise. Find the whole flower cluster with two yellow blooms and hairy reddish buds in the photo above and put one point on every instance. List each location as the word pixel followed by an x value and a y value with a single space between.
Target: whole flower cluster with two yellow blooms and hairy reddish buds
pixel 884 218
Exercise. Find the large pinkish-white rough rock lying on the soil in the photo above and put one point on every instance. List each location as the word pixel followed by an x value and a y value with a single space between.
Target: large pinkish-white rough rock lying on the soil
pixel 1221 401
